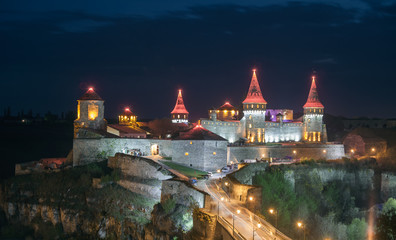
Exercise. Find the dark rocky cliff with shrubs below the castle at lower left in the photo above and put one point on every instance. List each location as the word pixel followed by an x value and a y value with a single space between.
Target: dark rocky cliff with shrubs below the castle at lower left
pixel 67 204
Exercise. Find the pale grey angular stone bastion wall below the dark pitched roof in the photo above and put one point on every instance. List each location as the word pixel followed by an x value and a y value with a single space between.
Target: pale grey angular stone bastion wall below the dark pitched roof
pixel 207 155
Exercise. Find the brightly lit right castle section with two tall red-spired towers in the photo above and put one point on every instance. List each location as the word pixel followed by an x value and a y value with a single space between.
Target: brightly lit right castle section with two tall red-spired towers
pixel 260 125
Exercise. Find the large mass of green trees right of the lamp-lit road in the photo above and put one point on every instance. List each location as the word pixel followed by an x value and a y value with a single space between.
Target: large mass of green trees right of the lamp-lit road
pixel 325 206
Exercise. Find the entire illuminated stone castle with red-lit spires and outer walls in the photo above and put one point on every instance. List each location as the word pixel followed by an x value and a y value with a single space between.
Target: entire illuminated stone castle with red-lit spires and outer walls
pixel 229 135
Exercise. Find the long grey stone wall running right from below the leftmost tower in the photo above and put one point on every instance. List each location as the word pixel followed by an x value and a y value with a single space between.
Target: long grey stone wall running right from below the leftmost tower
pixel 92 150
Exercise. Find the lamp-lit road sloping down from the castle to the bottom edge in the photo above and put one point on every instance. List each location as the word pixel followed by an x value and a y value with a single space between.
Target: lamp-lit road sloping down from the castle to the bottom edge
pixel 244 221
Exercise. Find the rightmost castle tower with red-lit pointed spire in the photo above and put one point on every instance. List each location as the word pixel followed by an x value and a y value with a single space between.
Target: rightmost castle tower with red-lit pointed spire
pixel 313 130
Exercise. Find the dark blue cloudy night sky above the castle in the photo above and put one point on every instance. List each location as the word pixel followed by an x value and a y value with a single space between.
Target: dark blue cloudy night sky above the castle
pixel 138 53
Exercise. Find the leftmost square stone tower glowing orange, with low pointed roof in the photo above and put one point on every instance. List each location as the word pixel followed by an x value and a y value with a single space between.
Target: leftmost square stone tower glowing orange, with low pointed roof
pixel 90 112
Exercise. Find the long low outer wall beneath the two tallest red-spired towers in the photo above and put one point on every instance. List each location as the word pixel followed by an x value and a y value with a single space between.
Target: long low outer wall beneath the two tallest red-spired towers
pixel 303 151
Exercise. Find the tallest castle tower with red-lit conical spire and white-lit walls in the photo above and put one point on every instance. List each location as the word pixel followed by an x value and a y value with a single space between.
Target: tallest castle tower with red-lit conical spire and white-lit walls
pixel 254 107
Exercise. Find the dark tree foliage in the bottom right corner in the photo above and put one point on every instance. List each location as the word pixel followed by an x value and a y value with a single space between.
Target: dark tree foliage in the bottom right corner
pixel 386 222
